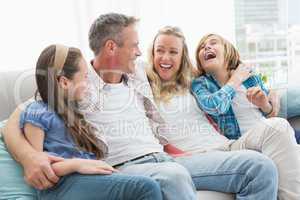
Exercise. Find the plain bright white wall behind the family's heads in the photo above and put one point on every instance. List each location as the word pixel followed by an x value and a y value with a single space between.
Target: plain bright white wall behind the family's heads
pixel 29 26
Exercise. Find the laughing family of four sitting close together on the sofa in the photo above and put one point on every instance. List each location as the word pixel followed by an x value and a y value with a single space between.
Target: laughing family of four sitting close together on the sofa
pixel 101 130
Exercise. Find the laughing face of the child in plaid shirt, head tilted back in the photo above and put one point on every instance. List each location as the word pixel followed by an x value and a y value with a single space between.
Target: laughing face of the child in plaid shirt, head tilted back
pixel 211 55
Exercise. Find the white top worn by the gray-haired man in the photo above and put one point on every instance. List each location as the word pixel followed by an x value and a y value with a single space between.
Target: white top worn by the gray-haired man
pixel 118 111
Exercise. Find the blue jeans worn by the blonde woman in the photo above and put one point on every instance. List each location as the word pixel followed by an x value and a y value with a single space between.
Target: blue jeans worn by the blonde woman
pixel 248 174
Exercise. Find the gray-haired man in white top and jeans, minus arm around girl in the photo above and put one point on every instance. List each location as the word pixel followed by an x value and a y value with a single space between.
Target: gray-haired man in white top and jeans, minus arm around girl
pixel 116 103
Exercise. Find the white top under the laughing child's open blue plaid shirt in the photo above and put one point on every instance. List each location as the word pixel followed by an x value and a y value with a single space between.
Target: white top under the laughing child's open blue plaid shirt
pixel 246 113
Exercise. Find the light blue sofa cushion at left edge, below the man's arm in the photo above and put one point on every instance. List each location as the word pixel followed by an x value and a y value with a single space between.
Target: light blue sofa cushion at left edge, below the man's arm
pixel 12 184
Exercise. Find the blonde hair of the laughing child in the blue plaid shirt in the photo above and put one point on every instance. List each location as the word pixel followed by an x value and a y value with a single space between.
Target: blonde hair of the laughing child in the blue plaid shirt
pixel 231 55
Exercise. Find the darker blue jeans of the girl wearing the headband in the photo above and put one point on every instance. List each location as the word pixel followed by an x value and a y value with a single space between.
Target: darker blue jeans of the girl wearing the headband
pixel 103 187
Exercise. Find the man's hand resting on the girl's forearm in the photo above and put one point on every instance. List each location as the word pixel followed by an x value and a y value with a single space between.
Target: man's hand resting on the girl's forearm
pixel 38 172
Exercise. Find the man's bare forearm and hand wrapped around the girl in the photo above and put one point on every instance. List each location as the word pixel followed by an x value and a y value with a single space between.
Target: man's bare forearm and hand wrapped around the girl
pixel 37 165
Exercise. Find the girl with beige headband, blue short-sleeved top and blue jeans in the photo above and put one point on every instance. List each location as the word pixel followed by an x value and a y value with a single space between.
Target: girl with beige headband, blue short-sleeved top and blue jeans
pixel 53 124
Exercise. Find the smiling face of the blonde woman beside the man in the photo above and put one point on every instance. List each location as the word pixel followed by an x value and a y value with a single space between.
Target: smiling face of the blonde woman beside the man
pixel 168 50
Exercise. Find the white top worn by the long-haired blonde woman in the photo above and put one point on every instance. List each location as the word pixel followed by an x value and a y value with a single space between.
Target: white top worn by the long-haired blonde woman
pixel 189 129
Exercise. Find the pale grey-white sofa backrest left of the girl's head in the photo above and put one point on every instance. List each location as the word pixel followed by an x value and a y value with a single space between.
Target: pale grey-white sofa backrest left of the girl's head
pixel 16 86
